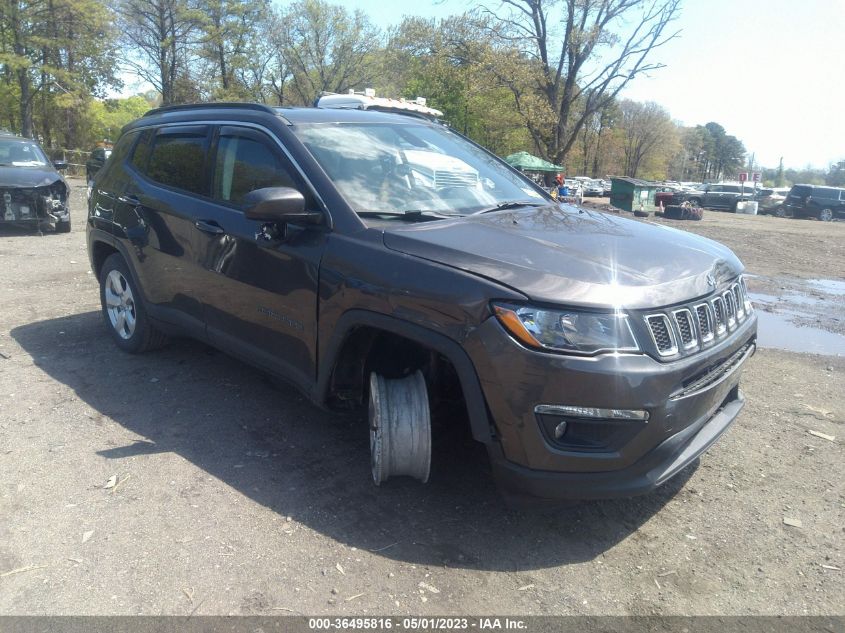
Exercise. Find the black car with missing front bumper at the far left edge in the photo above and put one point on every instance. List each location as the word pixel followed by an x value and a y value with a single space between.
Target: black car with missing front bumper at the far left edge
pixel 32 191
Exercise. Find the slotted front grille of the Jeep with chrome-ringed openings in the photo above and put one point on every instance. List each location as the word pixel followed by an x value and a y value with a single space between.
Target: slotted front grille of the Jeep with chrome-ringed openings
pixel 689 328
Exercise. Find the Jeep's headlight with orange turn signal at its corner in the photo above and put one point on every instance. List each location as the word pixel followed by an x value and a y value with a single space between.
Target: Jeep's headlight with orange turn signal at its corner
pixel 568 330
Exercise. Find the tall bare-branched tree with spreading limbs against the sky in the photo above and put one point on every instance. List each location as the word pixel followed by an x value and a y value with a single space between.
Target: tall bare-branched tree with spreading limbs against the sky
pixel 582 56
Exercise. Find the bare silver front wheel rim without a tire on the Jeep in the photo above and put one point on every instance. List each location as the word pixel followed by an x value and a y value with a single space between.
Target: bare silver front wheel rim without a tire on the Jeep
pixel 400 427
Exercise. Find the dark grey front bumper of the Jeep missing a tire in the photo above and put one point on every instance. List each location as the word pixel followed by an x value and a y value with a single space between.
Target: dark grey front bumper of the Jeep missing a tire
pixel 685 415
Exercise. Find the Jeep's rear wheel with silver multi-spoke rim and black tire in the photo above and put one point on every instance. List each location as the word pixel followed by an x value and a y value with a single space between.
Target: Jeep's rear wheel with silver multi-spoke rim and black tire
pixel 141 336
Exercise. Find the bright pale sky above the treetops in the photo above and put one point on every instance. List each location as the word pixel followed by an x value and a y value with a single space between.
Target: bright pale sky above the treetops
pixel 771 72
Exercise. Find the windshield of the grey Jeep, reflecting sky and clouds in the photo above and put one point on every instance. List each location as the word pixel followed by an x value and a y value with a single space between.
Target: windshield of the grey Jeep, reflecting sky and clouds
pixel 397 169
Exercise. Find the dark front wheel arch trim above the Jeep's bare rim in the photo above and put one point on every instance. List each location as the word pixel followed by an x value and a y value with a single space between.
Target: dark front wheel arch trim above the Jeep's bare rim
pixel 352 342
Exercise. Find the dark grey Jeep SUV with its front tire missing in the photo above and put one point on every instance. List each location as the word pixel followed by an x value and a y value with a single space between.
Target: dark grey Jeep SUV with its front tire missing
pixel 384 262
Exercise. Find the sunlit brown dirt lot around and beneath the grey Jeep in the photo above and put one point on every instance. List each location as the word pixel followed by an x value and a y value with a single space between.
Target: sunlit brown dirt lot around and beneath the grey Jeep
pixel 235 495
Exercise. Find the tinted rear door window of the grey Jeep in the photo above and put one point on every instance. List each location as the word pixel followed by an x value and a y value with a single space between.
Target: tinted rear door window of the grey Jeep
pixel 178 160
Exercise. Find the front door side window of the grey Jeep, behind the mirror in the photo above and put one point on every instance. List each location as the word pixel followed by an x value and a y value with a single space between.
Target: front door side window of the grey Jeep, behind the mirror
pixel 244 164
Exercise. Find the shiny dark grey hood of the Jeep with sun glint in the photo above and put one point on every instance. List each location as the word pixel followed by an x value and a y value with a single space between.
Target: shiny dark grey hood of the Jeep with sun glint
pixel 583 258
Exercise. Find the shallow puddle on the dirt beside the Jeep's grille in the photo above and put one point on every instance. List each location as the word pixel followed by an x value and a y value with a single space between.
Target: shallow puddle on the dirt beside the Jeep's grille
pixel 784 328
